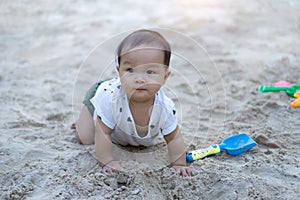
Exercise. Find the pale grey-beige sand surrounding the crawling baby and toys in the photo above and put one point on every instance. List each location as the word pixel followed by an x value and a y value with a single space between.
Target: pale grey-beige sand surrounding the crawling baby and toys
pixel 52 51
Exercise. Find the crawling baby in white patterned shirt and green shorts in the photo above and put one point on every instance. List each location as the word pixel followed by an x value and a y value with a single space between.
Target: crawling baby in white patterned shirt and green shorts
pixel 132 109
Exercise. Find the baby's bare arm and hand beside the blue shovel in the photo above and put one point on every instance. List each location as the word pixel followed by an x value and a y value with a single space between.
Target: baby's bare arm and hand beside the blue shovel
pixel 177 151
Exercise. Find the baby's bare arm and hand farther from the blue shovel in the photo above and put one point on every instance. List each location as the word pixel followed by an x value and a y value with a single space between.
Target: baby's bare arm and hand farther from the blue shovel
pixel 103 146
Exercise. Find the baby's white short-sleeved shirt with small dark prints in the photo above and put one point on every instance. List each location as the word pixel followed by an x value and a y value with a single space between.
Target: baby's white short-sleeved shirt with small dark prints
pixel 111 106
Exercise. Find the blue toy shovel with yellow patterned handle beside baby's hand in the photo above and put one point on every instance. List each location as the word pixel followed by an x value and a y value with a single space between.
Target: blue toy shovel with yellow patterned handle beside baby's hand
pixel 234 145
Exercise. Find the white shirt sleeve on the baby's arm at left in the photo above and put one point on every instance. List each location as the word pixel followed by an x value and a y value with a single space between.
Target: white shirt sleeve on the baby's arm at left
pixel 102 103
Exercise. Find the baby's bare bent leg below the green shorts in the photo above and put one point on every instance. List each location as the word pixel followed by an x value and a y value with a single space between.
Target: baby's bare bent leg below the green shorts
pixel 85 127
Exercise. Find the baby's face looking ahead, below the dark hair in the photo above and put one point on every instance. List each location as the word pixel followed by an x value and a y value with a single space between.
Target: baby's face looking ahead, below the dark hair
pixel 142 73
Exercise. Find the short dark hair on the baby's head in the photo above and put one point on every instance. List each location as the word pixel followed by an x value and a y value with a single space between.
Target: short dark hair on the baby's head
pixel 144 36
